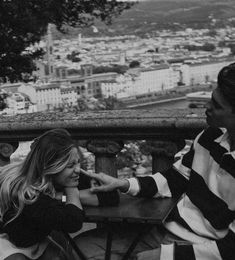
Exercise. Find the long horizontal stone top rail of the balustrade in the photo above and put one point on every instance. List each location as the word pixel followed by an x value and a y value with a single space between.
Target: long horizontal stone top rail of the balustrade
pixel 114 124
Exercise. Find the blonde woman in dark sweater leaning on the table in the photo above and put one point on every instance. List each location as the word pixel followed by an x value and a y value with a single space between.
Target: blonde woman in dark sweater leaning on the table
pixel 40 195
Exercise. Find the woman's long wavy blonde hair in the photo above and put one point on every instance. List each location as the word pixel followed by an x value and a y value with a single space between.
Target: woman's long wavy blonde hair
pixel 22 183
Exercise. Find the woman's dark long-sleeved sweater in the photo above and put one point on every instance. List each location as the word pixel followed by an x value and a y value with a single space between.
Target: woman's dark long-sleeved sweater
pixel 37 220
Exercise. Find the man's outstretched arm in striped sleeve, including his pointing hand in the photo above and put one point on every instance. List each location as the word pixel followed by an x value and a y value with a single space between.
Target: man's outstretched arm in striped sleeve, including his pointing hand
pixel 172 182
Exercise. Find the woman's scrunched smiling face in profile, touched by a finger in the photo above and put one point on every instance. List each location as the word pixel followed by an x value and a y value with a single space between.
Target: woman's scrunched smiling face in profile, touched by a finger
pixel 69 177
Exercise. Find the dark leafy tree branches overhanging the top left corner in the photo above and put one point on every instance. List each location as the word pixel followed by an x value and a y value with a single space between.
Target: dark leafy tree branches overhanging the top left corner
pixel 24 22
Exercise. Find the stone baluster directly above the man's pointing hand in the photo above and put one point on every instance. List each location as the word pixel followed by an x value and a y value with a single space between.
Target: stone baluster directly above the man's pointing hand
pixel 105 152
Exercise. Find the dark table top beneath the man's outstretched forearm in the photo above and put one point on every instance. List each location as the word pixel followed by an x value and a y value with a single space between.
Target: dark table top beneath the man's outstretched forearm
pixel 133 209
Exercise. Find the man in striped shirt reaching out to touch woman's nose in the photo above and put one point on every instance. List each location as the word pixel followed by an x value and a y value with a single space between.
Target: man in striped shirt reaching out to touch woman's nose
pixel 204 219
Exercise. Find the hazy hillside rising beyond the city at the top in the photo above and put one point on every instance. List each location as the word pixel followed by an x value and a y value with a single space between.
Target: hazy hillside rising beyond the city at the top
pixel 147 17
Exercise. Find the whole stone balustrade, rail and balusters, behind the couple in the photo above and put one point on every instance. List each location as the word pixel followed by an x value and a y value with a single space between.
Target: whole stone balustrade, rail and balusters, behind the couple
pixel 104 132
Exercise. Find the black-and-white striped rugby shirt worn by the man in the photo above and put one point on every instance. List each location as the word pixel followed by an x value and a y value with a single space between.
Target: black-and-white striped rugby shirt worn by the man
pixel 205 214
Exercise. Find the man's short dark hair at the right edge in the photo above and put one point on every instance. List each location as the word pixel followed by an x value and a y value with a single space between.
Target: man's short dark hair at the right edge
pixel 226 83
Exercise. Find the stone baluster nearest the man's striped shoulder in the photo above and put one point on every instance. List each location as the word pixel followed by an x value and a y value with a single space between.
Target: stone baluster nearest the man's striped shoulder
pixel 162 152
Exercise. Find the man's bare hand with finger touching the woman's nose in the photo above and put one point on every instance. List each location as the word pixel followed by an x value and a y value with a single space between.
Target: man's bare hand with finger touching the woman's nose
pixel 107 183
